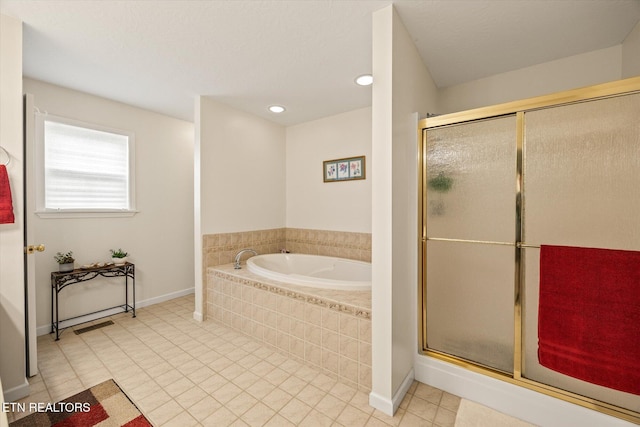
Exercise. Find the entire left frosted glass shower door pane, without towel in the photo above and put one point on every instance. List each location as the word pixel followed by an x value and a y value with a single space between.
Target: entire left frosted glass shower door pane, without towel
pixel 470 218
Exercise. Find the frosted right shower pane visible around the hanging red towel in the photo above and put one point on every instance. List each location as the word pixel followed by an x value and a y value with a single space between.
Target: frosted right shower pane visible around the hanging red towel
pixel 581 189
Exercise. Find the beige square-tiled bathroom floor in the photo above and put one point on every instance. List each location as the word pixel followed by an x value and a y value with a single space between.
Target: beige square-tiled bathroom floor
pixel 183 373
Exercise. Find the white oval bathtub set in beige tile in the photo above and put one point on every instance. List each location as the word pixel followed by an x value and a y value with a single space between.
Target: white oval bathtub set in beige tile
pixel 313 270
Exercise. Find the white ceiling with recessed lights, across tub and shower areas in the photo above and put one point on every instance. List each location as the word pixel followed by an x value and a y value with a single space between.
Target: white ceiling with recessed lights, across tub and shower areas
pixel 305 55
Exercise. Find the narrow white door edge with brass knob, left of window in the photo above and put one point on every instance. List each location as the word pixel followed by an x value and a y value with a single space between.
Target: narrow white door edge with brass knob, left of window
pixel 32 248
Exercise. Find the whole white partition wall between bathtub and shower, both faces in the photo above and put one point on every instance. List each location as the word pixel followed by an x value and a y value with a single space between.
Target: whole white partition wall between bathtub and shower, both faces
pixel 403 89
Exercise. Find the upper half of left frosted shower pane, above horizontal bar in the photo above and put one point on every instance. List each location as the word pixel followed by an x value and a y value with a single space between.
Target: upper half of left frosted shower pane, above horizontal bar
pixel 471 170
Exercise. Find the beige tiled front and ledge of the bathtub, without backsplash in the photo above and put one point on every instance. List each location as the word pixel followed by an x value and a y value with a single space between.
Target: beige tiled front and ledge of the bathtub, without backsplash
pixel 325 329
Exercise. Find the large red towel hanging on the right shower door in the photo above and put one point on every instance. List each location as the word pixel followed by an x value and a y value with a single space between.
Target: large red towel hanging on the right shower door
pixel 589 315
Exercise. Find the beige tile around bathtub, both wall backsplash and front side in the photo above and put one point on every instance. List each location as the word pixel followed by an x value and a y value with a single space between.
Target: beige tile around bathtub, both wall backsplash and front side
pixel 313 329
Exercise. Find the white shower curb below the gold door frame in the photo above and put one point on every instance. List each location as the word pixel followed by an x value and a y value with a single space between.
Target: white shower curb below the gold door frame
pixel 510 399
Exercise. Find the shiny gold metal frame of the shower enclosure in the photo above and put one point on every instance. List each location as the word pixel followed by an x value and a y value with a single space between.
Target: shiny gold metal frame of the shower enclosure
pixel 517 108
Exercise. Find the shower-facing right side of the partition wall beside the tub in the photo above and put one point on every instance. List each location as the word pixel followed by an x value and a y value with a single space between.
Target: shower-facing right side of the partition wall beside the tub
pixel 413 91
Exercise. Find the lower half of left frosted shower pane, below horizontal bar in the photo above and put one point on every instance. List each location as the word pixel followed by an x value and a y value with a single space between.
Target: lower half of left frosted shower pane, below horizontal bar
pixel 470 302
